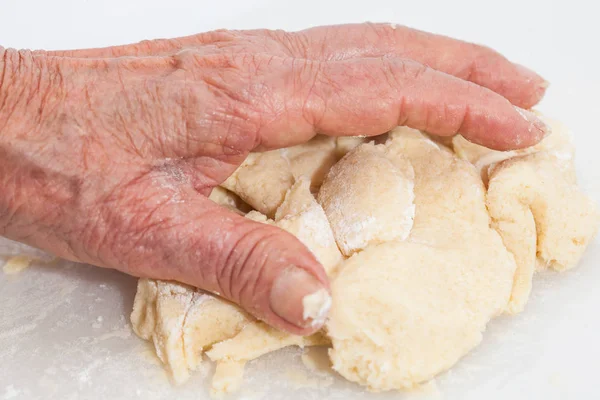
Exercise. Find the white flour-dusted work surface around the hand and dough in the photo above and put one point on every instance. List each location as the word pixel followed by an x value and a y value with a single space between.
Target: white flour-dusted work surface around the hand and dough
pixel 64 328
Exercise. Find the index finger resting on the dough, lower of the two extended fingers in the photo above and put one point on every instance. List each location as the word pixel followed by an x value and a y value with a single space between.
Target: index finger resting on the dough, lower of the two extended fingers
pixel 371 96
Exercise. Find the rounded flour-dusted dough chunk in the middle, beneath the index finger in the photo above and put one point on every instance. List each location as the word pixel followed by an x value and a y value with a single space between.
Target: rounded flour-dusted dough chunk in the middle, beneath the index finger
pixel 368 197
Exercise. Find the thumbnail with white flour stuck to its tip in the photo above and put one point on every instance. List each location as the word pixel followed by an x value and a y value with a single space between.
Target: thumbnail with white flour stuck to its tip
pixel 300 299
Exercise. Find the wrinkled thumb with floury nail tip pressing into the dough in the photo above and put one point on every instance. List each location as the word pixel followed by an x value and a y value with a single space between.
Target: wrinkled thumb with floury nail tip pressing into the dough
pixel 264 269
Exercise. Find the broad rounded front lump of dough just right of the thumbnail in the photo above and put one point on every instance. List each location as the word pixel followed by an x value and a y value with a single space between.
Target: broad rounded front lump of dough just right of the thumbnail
pixel 403 312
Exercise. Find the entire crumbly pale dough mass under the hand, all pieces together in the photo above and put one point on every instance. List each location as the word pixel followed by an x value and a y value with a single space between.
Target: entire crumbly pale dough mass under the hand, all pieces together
pixel 451 234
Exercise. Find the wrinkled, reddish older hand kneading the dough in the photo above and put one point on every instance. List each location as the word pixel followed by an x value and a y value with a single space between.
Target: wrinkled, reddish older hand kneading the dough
pixel 107 156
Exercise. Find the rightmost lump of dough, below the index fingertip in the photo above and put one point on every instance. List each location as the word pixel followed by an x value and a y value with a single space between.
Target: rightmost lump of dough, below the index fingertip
pixel 535 204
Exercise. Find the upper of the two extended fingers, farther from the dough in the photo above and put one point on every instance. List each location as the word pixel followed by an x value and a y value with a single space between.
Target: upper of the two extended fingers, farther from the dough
pixel 475 63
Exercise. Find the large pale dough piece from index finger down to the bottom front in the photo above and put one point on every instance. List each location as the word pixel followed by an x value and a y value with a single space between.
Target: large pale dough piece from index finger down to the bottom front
pixel 405 311
